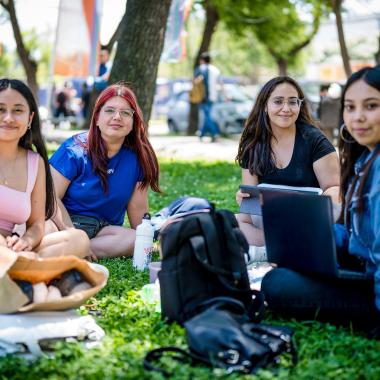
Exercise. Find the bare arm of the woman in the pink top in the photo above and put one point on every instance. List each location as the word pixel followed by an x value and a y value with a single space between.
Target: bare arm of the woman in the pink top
pixel 35 224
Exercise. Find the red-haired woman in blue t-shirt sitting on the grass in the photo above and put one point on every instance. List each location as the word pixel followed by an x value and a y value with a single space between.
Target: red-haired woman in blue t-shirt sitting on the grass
pixel 103 174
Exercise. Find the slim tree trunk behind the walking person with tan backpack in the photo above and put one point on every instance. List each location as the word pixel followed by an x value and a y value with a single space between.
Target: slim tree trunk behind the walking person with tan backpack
pixel 212 18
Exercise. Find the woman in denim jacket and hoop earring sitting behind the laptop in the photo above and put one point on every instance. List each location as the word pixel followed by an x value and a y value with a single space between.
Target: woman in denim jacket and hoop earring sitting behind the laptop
pixel 338 300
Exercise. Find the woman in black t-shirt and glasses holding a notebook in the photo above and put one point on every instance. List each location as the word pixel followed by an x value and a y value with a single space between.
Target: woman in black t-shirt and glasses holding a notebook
pixel 280 145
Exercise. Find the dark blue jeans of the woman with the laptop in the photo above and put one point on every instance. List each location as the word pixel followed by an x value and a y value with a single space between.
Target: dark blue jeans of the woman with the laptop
pixel 328 299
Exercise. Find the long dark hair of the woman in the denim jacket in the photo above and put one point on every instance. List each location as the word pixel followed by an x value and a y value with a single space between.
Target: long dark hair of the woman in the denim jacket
pixel 350 150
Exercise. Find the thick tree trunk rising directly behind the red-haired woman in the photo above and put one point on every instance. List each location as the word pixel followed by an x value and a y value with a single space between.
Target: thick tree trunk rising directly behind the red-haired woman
pixel 139 48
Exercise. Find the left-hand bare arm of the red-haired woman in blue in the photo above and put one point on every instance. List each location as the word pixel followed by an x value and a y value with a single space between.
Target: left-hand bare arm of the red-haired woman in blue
pixel 61 217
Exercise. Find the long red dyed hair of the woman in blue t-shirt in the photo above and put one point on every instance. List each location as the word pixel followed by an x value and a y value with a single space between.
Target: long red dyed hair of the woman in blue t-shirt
pixel 136 140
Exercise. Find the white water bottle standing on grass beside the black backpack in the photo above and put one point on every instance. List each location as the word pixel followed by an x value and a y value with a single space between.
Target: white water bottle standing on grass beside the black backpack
pixel 143 243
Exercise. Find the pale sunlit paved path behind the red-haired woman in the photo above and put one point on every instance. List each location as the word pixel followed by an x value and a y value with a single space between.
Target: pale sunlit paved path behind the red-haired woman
pixel 165 145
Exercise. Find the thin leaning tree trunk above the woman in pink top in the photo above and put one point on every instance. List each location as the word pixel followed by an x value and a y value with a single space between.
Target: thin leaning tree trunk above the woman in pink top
pixel 30 66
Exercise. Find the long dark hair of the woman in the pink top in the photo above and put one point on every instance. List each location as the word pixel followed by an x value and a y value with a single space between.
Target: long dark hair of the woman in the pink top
pixel 32 139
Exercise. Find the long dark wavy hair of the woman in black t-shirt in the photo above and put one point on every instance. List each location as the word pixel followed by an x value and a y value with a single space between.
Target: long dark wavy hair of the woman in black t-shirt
pixel 257 134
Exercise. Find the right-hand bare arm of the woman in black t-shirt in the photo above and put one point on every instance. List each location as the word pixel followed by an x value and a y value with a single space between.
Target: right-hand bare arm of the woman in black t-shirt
pixel 327 171
